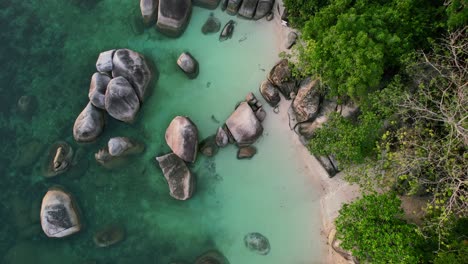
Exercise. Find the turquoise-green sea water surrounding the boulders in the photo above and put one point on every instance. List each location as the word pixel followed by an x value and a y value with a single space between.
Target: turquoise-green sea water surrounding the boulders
pixel 49 50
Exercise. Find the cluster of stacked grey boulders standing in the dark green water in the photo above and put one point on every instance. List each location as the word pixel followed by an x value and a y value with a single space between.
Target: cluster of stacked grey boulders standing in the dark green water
pixel 118 87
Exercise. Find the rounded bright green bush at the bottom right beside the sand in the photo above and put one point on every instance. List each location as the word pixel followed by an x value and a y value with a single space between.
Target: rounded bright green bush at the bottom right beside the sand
pixel 372 229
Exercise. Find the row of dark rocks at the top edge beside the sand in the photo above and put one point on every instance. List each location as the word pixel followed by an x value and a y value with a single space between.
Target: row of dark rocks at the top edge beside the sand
pixel 249 9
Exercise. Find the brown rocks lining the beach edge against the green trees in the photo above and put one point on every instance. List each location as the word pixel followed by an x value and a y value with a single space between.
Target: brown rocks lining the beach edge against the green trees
pixel 309 110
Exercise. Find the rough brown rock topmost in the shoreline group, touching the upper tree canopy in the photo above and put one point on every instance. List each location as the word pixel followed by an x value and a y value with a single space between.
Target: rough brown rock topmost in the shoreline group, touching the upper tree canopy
pixel 281 77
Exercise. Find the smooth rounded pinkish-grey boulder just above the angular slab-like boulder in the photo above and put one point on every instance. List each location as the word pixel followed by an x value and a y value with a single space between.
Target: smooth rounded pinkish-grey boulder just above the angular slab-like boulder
pixel 182 138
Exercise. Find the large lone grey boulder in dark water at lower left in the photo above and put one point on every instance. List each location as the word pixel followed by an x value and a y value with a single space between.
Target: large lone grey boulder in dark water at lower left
pixel 59 214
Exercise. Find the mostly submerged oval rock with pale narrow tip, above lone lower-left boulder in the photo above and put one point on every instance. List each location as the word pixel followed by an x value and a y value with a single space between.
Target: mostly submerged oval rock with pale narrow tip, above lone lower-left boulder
pixel 58 160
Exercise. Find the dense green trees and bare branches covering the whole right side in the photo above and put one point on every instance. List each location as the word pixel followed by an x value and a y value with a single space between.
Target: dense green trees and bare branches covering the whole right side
pixel 405 63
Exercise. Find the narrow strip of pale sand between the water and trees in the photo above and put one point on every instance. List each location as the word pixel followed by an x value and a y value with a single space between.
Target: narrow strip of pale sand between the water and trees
pixel 333 191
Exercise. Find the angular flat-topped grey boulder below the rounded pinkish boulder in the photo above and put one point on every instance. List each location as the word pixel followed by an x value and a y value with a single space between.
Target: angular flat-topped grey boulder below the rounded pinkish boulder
pixel 179 178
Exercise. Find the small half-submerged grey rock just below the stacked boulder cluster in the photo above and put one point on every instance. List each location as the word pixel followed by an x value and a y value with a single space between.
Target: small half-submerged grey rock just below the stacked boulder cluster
pixel 117 150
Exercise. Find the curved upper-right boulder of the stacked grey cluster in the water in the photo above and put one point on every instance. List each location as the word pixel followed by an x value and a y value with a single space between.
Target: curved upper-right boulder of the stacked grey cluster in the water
pixel 132 66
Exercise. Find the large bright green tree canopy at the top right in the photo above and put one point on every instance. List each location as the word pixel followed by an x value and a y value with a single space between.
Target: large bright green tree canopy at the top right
pixel 351 44
